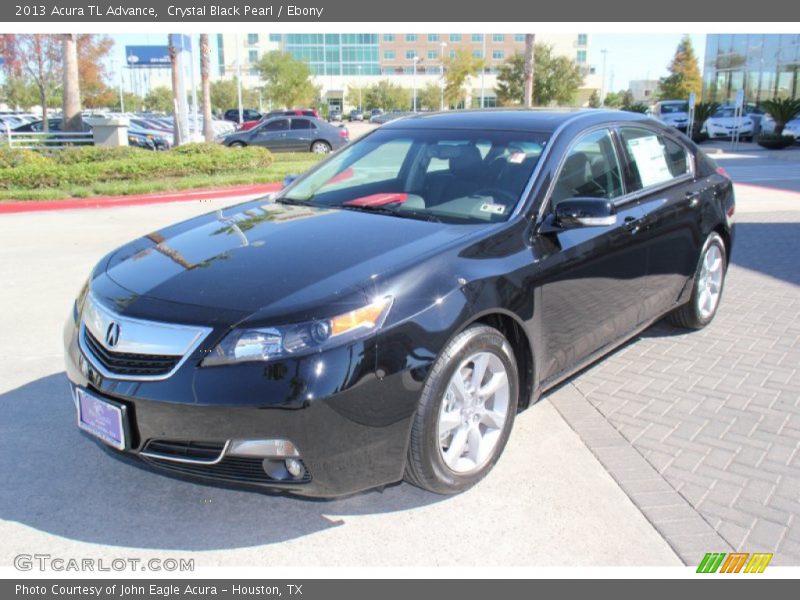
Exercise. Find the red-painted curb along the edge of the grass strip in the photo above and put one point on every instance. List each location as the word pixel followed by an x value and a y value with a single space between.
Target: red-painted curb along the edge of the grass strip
pixel 142 199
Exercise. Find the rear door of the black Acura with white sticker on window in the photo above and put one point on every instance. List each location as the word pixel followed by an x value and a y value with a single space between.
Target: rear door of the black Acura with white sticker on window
pixel 659 170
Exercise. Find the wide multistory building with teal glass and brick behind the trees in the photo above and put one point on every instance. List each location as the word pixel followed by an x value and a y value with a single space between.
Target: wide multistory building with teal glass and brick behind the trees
pixel 412 60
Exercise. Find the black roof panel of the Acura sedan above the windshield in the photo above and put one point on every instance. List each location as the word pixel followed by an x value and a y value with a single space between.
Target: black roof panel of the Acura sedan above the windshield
pixel 538 120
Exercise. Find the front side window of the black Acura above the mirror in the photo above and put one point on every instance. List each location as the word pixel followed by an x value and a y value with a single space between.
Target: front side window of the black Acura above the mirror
pixel 591 170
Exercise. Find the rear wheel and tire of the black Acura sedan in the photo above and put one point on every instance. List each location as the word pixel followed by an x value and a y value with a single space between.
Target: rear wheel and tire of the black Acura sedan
pixel 700 310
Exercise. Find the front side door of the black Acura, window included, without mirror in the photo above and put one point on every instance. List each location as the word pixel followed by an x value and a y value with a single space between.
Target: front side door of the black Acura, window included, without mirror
pixel 590 292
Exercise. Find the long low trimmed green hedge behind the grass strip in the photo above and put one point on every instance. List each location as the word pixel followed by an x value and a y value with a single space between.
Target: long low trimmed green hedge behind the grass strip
pixel 84 166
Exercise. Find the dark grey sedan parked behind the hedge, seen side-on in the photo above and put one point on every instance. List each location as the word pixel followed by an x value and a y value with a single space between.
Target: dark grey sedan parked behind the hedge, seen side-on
pixel 292 134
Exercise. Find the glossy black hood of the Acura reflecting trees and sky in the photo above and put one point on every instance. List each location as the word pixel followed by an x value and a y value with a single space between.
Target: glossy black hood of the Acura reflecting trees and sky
pixel 273 258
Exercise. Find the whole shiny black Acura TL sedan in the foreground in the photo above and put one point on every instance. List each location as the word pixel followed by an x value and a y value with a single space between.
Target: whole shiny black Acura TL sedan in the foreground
pixel 387 314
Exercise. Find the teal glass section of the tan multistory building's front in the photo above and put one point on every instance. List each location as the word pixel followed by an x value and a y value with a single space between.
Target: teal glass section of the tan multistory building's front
pixel 336 53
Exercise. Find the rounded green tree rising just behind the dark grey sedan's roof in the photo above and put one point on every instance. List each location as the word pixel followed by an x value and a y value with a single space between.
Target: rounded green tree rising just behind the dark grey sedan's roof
pixel 288 80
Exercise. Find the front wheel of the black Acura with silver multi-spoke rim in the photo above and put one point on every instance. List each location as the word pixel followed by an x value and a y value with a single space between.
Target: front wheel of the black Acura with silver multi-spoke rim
pixel 478 428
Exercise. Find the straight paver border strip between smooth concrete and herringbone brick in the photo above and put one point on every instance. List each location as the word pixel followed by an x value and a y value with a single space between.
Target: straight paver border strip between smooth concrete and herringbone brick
pixel 682 527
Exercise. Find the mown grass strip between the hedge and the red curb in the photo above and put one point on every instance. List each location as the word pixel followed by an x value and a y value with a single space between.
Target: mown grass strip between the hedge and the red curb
pixel 282 165
